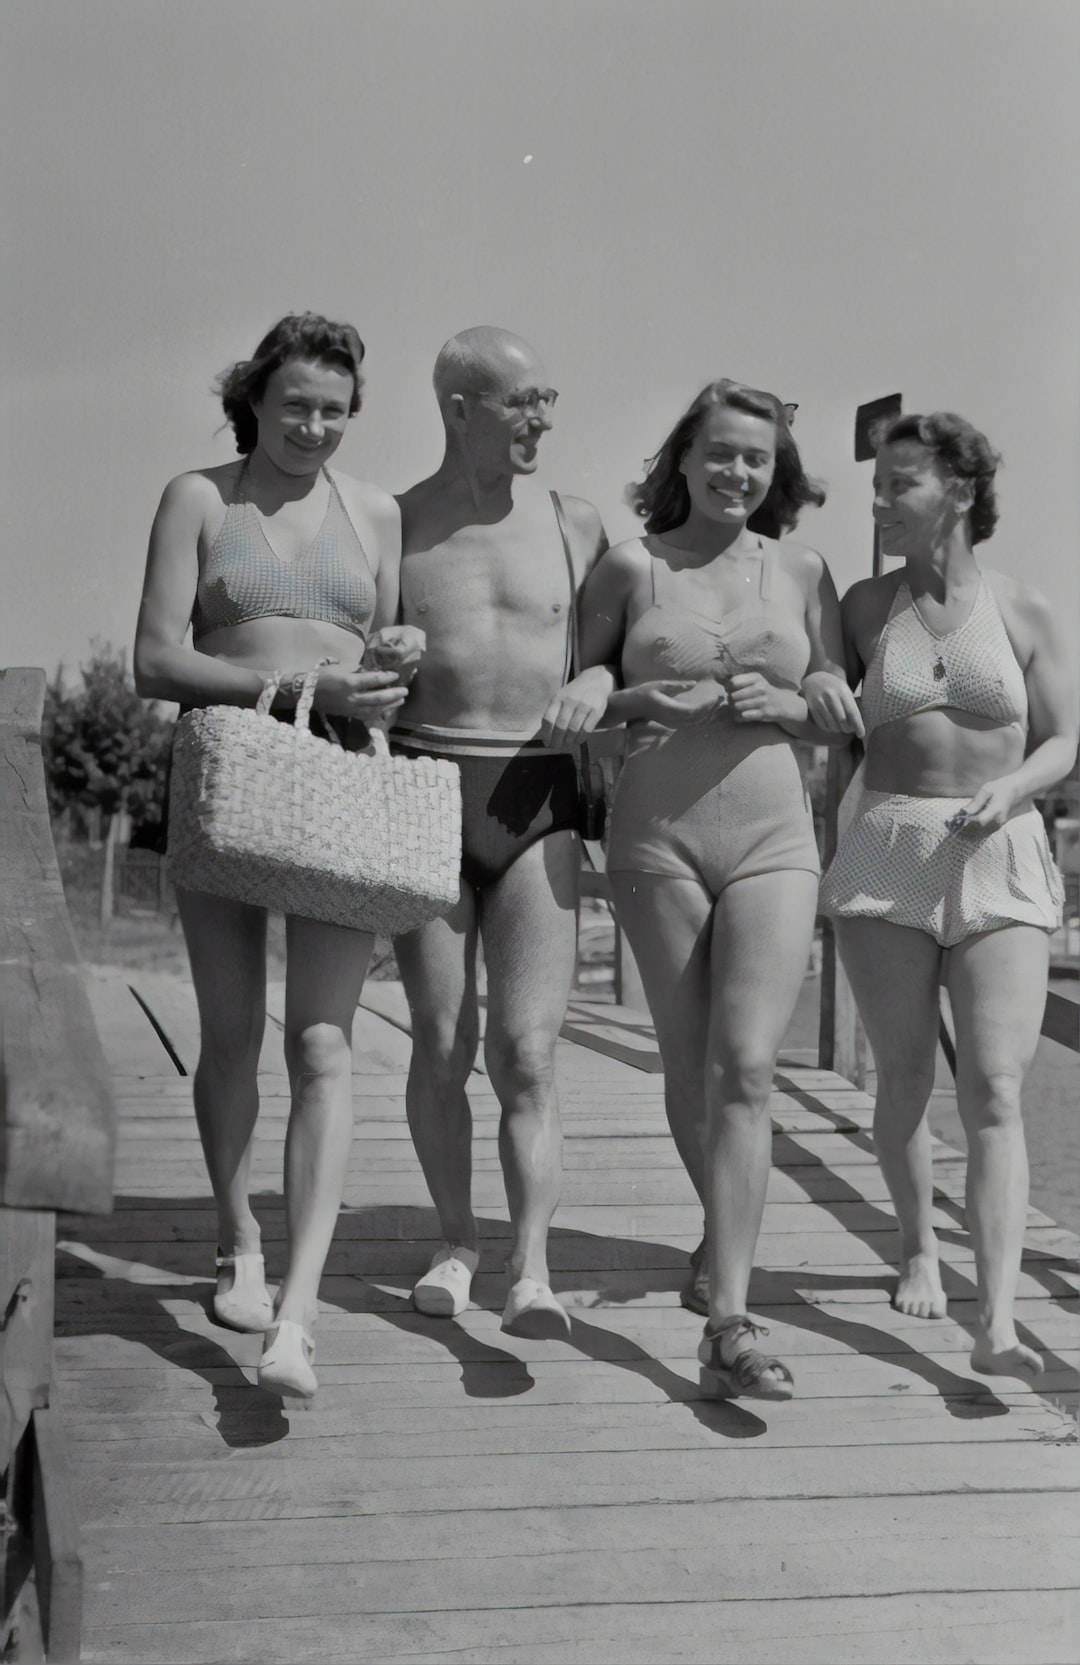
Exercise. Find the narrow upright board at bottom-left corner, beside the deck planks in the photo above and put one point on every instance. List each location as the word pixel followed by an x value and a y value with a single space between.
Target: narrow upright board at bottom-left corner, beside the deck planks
pixel 56 1536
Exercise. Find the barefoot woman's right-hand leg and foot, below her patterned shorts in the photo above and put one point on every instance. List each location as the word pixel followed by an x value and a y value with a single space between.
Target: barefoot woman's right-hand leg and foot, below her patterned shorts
pixel 998 985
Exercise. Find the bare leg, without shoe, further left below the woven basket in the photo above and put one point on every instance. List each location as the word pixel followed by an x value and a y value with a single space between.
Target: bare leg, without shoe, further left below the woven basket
pixel 227 947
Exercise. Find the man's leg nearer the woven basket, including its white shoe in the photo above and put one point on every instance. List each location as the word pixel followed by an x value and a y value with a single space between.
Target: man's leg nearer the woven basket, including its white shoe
pixel 438 968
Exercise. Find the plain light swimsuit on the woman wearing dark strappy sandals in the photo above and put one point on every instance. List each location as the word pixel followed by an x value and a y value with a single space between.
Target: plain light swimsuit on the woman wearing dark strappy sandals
pixel 718 800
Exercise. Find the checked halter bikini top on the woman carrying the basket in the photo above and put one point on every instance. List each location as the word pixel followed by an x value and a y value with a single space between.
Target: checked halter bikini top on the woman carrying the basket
pixel 244 580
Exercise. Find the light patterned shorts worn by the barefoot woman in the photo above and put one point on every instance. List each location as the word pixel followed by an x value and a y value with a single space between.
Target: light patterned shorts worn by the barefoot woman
pixel 899 860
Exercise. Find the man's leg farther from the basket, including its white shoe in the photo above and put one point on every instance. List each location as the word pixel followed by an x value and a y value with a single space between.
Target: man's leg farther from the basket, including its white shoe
pixel 530 935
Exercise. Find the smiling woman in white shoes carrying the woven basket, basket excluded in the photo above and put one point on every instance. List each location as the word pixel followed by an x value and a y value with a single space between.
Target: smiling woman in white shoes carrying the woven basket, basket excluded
pixel 277 567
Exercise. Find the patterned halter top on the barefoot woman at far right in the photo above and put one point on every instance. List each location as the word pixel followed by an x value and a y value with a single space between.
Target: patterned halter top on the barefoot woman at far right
pixel 971 668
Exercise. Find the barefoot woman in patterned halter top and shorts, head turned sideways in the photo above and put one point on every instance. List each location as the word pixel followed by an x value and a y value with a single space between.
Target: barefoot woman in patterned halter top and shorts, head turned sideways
pixel 943 870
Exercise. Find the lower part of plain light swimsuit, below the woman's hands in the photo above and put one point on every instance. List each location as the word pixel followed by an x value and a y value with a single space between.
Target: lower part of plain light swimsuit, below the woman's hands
pixel 713 807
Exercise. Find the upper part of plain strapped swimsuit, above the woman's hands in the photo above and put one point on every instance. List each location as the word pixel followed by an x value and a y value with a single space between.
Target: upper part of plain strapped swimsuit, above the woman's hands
pixel 676 642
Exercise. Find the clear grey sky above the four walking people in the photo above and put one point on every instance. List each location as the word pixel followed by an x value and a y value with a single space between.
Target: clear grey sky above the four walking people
pixel 830 199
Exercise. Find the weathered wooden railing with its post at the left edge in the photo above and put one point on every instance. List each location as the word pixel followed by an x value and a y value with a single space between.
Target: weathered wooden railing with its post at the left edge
pixel 56 1153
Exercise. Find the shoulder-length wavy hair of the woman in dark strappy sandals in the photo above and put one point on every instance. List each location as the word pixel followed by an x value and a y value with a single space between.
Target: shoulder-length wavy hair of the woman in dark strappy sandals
pixel 663 499
